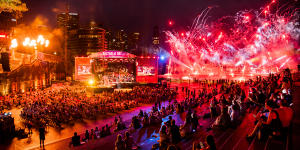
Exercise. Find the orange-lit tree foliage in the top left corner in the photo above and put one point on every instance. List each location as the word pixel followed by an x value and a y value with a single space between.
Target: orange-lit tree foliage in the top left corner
pixel 15 6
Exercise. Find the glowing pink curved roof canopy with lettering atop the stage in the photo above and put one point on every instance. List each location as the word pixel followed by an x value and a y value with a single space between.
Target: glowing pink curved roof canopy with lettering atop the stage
pixel 111 54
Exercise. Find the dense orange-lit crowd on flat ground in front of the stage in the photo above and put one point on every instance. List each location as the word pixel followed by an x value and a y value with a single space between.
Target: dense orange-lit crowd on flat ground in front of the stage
pixel 66 104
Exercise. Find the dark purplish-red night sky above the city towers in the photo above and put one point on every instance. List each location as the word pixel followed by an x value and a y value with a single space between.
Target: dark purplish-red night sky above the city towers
pixel 138 15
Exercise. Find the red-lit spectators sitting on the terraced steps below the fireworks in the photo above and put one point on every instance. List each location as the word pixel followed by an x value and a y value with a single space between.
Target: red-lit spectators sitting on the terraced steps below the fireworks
pixel 269 99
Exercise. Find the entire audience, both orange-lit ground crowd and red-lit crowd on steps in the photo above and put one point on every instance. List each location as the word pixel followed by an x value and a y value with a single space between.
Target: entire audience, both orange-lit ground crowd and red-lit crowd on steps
pixel 269 99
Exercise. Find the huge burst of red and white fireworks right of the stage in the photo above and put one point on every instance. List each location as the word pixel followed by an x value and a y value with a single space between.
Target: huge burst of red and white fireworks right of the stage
pixel 251 42
